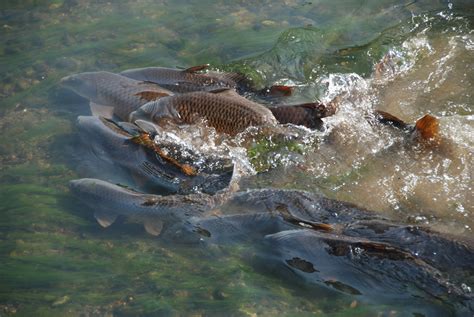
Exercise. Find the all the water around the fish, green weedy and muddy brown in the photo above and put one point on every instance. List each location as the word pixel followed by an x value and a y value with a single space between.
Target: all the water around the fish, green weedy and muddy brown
pixel 57 261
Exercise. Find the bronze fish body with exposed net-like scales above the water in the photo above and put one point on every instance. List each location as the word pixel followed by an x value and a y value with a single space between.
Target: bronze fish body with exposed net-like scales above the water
pixel 226 112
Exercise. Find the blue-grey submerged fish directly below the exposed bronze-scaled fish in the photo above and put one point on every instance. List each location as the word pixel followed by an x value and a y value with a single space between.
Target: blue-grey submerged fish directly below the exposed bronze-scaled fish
pixel 111 144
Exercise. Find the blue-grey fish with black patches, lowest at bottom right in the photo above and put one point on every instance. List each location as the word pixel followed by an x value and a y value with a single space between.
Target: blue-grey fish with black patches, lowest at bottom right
pixel 369 271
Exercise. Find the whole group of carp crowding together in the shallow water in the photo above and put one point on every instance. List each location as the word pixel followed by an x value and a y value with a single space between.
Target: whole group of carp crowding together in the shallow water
pixel 185 196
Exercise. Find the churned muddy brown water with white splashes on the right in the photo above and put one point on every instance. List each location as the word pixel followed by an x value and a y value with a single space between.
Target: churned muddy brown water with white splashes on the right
pixel 358 160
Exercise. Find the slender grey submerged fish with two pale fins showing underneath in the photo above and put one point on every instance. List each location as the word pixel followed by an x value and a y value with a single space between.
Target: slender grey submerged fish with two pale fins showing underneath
pixel 110 201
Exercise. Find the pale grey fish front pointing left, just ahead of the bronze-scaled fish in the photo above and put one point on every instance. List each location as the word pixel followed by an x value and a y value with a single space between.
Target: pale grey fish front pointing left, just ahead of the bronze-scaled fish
pixel 113 94
